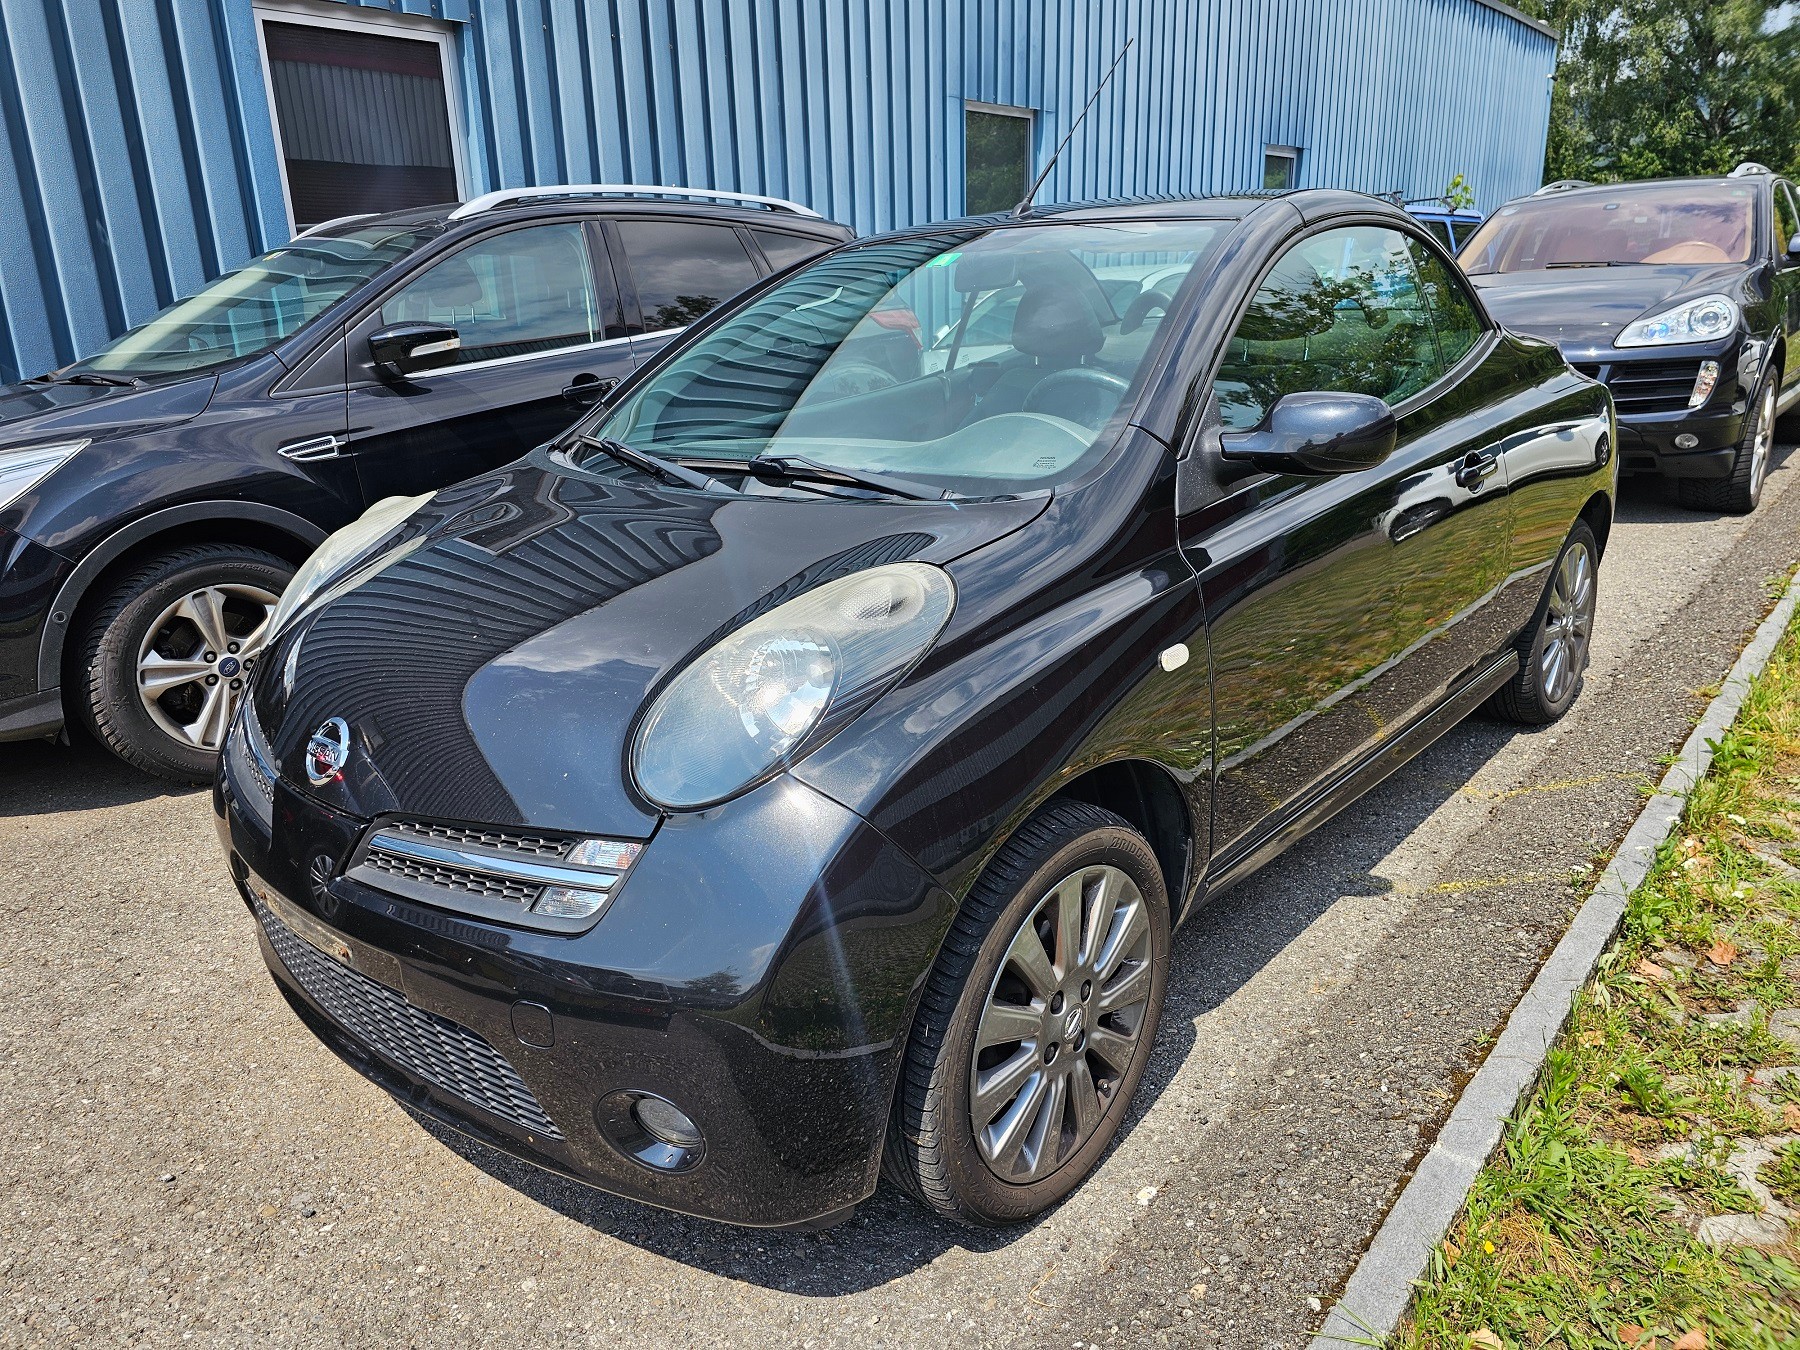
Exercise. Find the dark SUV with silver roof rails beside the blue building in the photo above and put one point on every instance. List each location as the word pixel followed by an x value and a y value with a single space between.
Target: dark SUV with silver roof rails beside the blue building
pixel 157 496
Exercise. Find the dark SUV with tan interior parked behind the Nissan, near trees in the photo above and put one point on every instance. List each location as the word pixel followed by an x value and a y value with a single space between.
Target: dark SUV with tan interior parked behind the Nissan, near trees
pixel 1682 296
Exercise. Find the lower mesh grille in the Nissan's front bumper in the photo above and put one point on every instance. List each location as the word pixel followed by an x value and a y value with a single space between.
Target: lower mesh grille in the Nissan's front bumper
pixel 424 1045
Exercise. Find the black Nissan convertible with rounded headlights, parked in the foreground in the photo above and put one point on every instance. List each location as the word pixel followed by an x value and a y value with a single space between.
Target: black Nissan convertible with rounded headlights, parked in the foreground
pixel 804 762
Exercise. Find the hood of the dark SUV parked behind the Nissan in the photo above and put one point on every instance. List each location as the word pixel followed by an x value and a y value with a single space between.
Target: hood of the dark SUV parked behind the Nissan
pixel 1587 307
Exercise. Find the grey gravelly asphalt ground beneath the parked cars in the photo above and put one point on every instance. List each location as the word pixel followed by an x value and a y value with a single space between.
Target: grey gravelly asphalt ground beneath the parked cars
pixel 184 1162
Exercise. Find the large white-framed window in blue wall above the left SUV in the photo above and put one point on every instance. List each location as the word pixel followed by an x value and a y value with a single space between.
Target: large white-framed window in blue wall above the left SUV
pixel 363 114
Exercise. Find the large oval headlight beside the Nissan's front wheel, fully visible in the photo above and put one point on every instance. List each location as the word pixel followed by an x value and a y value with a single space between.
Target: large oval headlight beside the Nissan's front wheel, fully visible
pixel 784 683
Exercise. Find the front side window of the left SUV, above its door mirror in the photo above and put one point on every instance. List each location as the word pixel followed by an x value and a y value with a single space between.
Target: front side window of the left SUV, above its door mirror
pixel 510 294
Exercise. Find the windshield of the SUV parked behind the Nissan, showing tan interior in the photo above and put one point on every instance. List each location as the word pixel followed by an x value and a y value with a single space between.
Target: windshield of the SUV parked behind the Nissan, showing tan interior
pixel 1689 224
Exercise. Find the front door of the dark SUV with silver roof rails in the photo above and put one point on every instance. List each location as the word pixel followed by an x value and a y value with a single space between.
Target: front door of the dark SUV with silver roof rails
pixel 543 337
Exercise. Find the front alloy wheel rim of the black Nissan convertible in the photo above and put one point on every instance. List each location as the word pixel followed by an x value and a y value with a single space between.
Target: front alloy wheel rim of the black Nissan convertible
pixel 1061 1025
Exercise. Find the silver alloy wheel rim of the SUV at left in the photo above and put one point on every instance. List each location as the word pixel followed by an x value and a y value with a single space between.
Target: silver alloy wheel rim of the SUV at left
pixel 197 660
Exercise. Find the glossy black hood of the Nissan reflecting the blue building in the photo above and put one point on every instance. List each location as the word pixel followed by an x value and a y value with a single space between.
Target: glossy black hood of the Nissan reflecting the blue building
pixel 496 672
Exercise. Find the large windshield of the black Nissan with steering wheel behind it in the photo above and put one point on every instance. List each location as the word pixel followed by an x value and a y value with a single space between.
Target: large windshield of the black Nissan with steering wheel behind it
pixel 973 363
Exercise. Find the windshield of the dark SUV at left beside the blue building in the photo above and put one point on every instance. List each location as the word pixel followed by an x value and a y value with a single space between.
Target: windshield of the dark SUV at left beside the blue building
pixel 256 307
